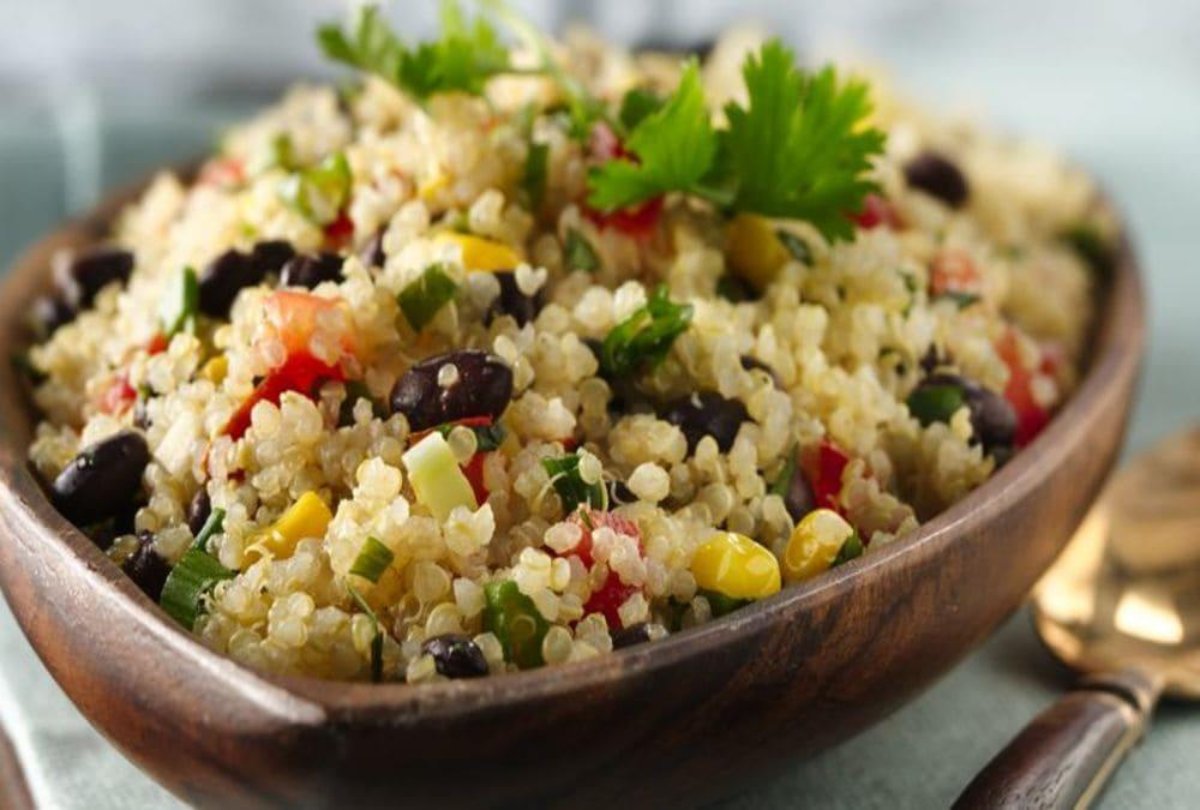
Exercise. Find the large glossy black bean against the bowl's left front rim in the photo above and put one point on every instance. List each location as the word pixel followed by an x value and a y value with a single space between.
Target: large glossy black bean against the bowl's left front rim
pixel 103 481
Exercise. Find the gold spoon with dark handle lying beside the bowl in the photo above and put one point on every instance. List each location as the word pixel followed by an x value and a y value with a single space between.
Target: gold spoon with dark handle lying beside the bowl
pixel 1123 608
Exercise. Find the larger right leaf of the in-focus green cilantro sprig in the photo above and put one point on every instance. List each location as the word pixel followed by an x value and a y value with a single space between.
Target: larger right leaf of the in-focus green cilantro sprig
pixel 800 149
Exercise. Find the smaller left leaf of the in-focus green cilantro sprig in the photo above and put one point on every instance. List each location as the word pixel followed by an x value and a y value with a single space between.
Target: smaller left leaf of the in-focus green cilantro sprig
pixel 676 147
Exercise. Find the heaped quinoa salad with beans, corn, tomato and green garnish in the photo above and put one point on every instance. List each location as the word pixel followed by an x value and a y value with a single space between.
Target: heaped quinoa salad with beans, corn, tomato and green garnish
pixel 512 352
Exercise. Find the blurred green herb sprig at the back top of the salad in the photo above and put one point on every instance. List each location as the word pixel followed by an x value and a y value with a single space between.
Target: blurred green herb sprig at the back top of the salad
pixel 463 61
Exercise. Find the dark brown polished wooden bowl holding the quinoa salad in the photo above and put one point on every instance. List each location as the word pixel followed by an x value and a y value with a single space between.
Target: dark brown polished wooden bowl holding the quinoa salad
pixel 670 723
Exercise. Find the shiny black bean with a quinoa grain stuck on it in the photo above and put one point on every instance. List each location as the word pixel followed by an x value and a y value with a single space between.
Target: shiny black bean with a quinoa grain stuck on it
pixel 483 388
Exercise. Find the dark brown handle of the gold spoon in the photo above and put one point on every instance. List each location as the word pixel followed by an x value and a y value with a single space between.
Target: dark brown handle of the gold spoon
pixel 1067 754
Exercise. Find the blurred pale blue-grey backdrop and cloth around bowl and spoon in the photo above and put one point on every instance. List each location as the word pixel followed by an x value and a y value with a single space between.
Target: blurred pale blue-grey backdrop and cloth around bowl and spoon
pixel 95 94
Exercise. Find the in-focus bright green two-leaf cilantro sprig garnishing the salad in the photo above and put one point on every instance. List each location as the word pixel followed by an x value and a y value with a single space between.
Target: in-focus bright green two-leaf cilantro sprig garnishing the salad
pixel 800 149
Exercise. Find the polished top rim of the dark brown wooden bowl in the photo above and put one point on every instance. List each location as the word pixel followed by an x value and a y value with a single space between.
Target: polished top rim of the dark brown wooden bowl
pixel 305 700
